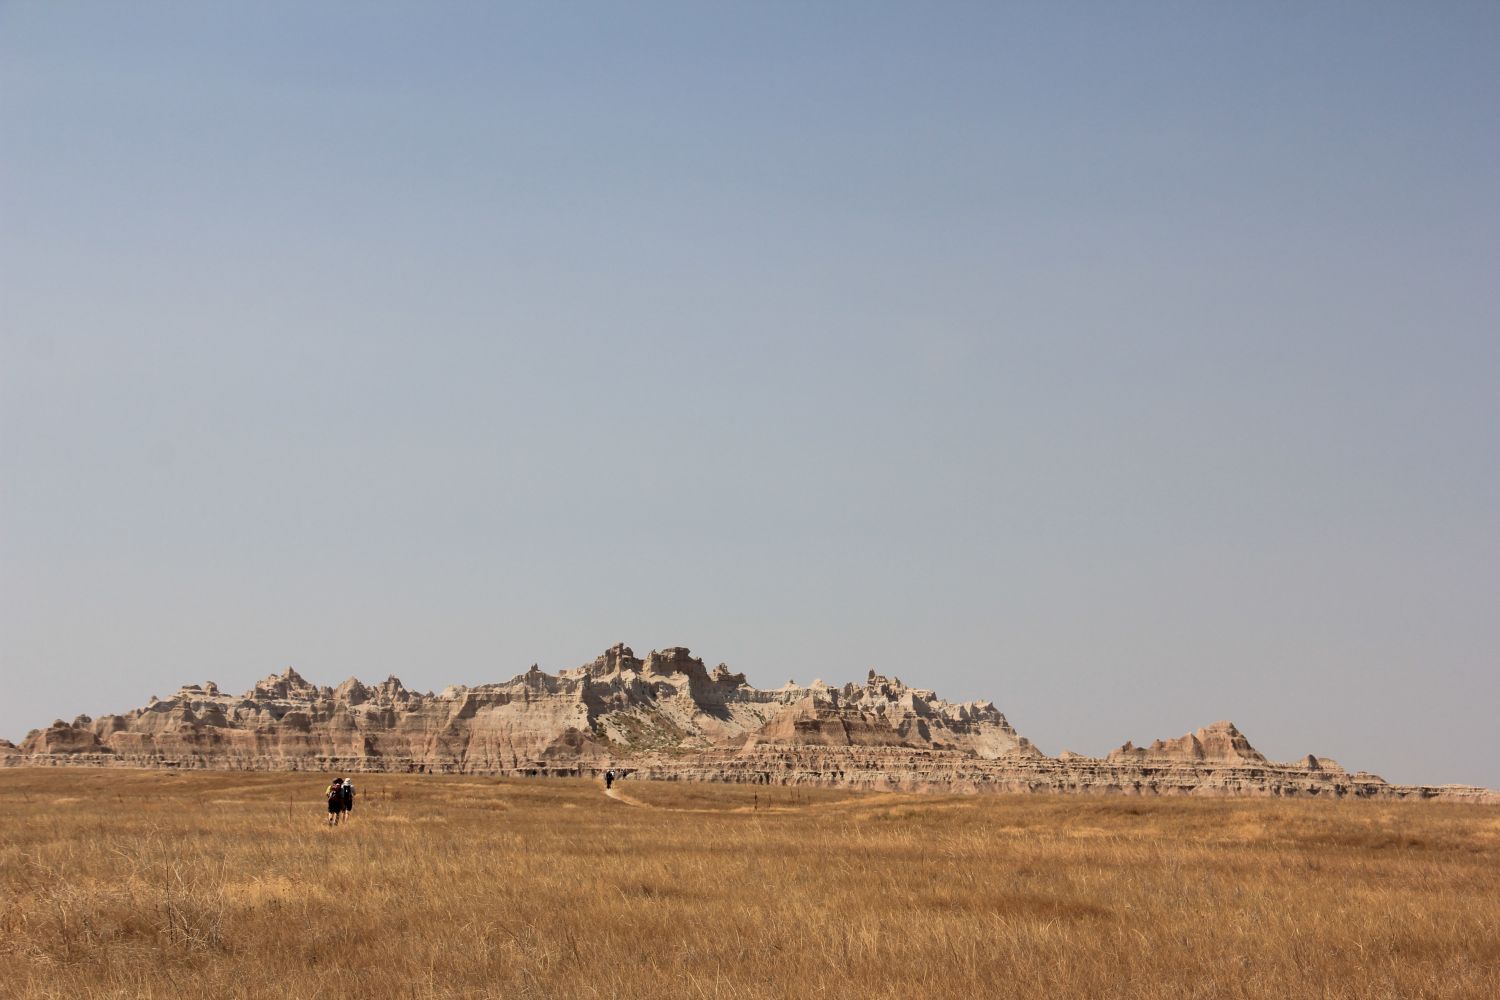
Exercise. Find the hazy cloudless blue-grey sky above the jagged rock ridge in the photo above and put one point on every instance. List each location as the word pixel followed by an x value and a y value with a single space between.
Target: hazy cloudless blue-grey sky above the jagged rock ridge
pixel 1130 365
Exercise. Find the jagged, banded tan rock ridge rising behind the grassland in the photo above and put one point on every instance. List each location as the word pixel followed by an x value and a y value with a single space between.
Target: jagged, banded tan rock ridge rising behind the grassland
pixel 670 717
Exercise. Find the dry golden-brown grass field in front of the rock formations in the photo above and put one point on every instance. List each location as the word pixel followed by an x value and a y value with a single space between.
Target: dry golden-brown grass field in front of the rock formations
pixel 127 884
